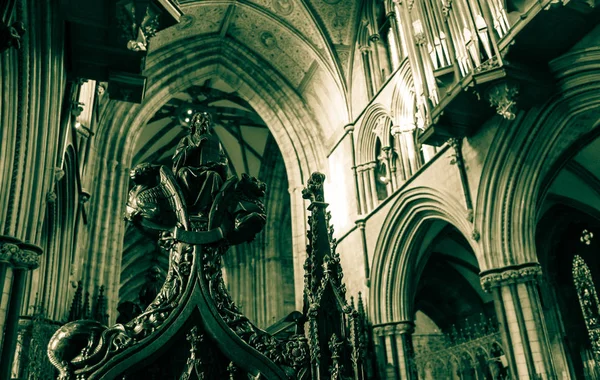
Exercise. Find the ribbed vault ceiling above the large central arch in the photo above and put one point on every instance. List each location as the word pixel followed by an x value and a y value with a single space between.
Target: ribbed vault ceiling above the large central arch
pixel 309 43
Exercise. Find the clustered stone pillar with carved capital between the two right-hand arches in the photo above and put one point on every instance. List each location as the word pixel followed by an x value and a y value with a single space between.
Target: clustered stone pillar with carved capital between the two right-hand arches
pixel 521 321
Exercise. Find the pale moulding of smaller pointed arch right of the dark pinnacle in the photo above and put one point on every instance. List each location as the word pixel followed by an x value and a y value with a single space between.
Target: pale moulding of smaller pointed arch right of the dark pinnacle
pixel 396 252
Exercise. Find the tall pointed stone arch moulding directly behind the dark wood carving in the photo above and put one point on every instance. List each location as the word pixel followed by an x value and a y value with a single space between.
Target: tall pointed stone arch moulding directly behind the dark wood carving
pixel 286 116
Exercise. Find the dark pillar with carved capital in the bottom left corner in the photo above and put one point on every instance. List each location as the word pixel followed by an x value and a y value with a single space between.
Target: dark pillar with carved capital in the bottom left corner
pixel 23 257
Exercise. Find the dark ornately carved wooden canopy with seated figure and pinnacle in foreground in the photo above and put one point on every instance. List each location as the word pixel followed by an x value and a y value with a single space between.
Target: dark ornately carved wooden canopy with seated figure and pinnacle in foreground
pixel 193 329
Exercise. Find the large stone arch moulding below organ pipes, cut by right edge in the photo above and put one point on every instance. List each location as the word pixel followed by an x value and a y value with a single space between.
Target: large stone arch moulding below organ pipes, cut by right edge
pixel 526 151
